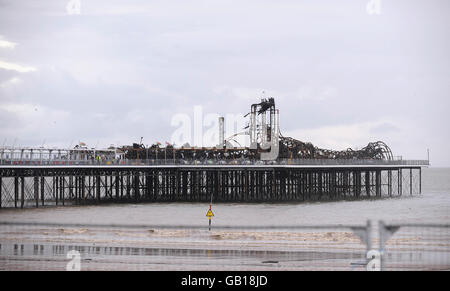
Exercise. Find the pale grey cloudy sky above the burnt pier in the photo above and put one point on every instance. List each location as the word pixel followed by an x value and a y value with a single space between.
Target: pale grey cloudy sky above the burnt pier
pixel 121 69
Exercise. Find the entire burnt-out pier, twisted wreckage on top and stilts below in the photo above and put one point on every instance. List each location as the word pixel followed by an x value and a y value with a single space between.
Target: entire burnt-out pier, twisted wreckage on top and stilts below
pixel 273 168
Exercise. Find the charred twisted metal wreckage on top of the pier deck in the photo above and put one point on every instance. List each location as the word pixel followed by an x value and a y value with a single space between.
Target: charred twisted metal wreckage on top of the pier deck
pixel 265 137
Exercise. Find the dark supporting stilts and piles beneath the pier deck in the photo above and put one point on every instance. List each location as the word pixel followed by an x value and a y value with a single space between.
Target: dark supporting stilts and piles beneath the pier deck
pixel 37 186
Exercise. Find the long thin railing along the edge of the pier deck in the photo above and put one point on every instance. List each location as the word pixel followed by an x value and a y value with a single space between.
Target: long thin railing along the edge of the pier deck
pixel 143 162
